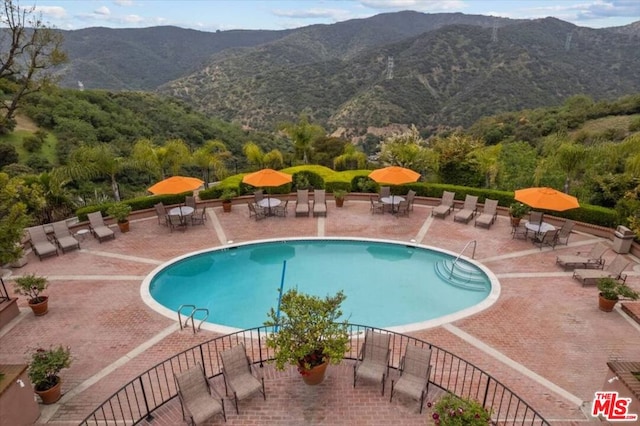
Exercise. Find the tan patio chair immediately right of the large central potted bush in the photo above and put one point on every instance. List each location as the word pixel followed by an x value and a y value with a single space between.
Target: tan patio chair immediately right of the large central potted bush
pixel 373 360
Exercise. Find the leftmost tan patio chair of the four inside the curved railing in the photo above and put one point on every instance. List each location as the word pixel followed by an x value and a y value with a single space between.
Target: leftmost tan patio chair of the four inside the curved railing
pixel 199 400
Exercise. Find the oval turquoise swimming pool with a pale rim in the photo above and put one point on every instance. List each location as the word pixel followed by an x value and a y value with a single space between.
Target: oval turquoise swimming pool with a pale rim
pixel 388 284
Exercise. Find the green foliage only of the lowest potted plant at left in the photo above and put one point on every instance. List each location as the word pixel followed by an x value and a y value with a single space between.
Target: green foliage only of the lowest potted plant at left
pixel 45 366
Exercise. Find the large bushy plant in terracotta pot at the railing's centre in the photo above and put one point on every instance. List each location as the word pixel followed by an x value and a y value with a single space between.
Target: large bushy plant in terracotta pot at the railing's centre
pixel 307 333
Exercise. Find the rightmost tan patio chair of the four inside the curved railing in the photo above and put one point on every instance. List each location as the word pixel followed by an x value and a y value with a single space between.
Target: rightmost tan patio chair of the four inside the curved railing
pixel 415 368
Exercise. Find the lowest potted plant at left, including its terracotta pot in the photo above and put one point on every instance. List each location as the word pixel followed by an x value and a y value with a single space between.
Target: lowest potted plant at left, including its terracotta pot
pixel 44 369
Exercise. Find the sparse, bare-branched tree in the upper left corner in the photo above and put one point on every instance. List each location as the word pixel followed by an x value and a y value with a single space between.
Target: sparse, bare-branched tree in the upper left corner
pixel 28 57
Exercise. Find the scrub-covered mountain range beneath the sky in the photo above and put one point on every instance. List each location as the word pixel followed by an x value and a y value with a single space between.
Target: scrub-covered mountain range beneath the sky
pixel 431 70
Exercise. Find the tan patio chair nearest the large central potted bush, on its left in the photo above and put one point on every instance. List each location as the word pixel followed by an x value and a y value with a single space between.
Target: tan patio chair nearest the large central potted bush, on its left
pixel 239 377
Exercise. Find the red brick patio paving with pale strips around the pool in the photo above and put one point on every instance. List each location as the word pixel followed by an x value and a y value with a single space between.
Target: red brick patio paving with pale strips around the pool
pixel 544 338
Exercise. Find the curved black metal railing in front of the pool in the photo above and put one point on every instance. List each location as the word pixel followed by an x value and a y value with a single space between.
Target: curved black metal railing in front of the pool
pixel 138 399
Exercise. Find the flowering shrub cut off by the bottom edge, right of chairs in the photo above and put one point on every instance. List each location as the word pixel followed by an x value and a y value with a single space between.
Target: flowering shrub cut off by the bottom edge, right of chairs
pixel 451 410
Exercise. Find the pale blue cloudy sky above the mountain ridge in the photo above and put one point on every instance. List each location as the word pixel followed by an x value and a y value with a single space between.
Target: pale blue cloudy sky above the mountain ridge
pixel 212 15
